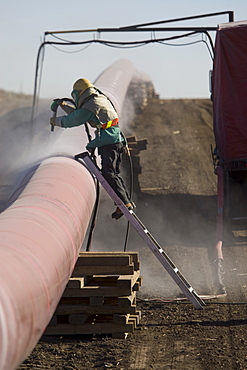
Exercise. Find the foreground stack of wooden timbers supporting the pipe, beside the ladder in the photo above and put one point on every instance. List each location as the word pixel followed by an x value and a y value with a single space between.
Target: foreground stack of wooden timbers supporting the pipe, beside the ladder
pixel 100 297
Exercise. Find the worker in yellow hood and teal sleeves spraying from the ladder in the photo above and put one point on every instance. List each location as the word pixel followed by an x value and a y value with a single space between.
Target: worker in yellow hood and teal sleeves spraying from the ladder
pixel 94 107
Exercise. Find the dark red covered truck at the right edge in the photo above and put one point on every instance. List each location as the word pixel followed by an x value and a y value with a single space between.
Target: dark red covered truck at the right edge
pixel 229 96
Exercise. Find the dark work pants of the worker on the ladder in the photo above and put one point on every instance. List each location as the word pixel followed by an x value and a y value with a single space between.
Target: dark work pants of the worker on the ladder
pixel 111 156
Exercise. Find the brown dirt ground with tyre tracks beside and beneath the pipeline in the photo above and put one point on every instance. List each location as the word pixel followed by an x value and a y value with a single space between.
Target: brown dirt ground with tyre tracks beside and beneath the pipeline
pixel 177 203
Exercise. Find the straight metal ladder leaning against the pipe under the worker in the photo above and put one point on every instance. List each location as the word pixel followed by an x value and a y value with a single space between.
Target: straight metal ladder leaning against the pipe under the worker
pixel 159 253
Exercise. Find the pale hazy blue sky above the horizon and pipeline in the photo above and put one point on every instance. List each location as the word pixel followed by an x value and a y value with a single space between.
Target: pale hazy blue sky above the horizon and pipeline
pixel 176 71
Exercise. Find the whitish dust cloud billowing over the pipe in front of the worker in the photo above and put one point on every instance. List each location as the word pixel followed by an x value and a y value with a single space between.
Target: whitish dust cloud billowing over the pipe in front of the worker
pixel 25 144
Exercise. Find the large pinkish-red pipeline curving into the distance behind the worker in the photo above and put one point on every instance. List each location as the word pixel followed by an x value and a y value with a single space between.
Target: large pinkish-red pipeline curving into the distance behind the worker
pixel 43 230
